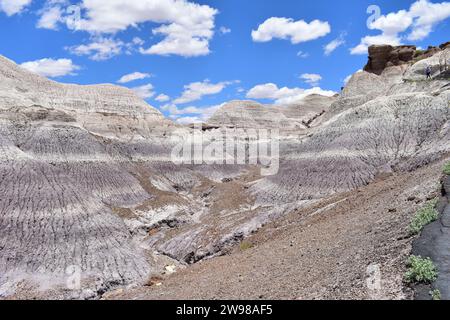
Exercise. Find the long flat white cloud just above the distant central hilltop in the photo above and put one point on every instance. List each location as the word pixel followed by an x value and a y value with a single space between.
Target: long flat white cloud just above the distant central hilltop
pixel 284 95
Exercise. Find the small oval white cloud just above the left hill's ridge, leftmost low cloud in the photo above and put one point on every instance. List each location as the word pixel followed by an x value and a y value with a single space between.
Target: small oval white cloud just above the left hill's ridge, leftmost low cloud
pixel 51 68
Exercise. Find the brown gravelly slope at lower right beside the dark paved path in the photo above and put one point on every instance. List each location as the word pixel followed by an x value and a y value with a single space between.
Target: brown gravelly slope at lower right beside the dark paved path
pixel 323 252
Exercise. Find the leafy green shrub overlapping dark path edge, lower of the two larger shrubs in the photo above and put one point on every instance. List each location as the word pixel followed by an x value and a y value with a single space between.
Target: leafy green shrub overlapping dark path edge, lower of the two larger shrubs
pixel 420 270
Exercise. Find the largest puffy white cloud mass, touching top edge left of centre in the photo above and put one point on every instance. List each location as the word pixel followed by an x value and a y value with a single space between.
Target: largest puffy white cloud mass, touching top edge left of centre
pixel 186 27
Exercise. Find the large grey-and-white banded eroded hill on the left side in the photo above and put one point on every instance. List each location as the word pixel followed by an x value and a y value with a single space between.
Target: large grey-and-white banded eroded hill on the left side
pixel 62 177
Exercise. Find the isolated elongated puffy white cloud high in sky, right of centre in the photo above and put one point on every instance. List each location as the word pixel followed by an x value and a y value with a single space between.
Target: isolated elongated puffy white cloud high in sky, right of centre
pixel 286 28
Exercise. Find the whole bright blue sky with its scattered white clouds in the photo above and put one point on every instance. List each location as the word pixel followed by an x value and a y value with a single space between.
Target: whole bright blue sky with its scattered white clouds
pixel 188 57
